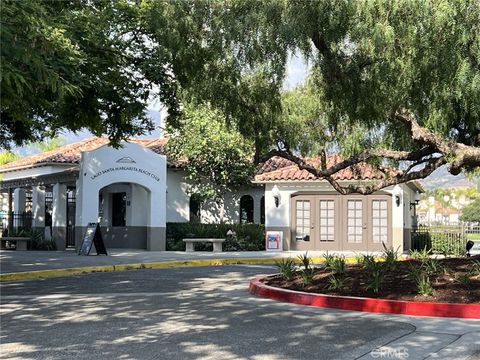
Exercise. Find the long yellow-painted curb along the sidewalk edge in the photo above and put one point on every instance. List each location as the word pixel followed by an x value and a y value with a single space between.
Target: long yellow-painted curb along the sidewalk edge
pixel 41 274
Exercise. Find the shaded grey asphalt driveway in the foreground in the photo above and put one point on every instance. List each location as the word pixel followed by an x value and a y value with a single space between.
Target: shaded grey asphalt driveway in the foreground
pixel 199 313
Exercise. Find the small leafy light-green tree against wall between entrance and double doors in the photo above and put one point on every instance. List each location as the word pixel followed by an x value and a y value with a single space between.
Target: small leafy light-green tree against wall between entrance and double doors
pixel 216 157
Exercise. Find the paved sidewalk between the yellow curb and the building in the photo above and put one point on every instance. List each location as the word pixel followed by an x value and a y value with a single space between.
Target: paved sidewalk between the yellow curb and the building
pixel 22 261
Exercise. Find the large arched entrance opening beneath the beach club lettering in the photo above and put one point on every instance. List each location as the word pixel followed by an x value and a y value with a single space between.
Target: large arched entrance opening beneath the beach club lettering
pixel 124 215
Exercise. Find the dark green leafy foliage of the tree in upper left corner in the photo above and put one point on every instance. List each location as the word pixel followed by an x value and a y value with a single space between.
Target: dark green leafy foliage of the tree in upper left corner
pixel 71 65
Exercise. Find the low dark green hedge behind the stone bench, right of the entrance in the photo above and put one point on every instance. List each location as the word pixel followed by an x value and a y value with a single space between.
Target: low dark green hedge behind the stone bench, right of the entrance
pixel 248 237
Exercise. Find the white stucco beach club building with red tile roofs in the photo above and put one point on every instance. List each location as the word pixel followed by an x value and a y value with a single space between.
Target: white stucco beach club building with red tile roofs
pixel 134 191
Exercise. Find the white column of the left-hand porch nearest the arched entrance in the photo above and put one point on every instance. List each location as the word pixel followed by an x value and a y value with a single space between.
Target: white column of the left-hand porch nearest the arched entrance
pixel 59 215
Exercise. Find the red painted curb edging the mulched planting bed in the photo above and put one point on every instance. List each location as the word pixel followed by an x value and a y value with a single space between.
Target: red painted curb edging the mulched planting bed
pixel 467 311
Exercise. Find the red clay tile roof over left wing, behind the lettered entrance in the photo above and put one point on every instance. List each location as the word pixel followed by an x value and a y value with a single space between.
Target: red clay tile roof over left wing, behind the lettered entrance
pixel 70 154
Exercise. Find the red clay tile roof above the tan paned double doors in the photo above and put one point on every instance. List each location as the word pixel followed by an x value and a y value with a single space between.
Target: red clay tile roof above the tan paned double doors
pixel 280 169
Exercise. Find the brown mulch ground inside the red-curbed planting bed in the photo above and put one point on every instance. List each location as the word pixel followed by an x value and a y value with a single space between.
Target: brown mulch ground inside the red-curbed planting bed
pixel 398 284
